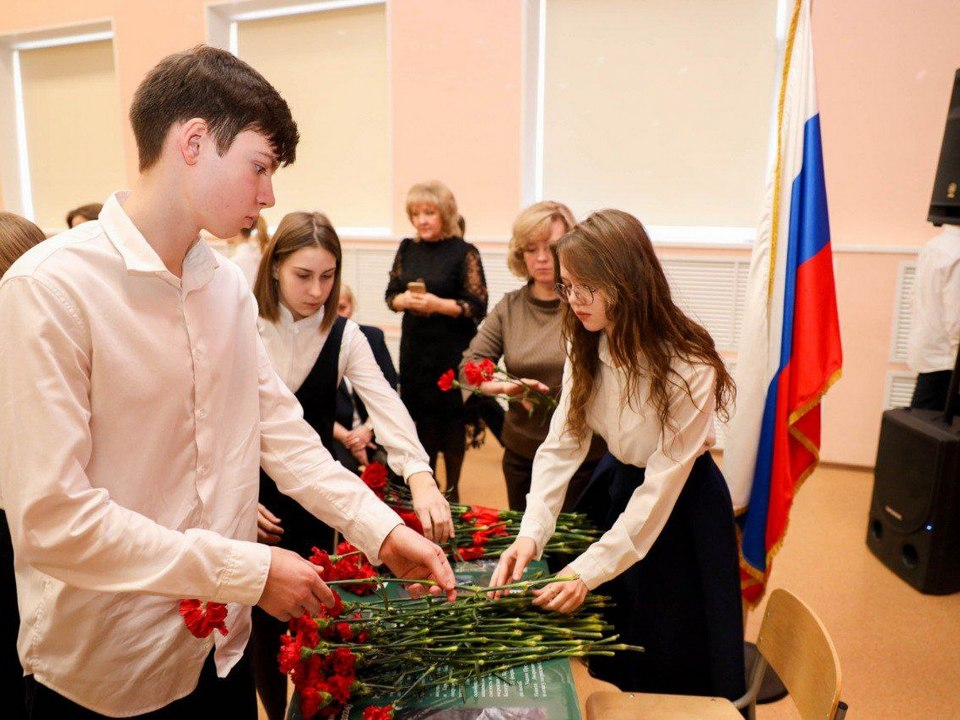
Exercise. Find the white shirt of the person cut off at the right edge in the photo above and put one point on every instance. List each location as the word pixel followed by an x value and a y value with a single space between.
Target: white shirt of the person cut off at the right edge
pixel 935 330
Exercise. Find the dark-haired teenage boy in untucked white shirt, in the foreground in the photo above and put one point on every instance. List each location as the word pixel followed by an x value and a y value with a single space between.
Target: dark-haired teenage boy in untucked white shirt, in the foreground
pixel 137 404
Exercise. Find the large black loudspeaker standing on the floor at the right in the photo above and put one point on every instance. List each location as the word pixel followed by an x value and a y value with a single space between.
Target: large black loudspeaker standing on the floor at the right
pixel 914 523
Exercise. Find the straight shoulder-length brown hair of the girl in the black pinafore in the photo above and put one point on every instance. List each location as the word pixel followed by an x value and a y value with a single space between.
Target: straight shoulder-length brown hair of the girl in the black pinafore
pixel 297 230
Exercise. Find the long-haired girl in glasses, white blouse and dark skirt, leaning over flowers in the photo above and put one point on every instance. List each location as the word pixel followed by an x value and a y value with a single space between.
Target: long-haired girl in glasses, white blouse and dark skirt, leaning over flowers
pixel 647 379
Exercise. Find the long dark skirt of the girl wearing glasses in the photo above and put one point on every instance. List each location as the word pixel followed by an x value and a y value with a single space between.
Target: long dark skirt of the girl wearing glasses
pixel 682 601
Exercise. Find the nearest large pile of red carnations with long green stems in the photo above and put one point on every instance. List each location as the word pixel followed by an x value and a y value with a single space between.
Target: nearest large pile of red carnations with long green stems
pixel 396 649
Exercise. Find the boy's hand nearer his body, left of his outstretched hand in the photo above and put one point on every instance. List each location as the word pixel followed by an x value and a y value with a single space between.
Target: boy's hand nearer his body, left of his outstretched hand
pixel 294 586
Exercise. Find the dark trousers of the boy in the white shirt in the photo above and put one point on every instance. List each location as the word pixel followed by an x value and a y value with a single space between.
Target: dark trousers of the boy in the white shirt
pixel 230 697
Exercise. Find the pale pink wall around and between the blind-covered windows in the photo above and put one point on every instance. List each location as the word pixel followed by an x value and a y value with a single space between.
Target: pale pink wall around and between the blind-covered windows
pixel 884 70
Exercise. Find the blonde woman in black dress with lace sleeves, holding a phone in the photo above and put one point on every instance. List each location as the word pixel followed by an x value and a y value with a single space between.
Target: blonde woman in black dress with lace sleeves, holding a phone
pixel 437 282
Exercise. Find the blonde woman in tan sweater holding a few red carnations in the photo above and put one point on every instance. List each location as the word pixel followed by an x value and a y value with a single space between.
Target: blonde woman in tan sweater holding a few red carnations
pixel 524 329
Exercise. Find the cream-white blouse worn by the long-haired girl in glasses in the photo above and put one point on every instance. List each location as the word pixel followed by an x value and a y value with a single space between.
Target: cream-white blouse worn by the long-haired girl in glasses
pixel 635 437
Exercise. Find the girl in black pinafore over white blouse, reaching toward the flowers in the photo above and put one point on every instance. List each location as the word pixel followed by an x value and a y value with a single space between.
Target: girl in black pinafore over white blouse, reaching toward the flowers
pixel 312 348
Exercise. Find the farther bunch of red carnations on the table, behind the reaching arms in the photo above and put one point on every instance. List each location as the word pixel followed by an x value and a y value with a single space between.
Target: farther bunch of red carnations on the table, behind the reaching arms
pixel 481 532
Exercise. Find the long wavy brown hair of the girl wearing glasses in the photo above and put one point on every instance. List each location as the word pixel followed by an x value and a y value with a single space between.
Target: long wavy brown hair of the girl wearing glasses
pixel 610 251
